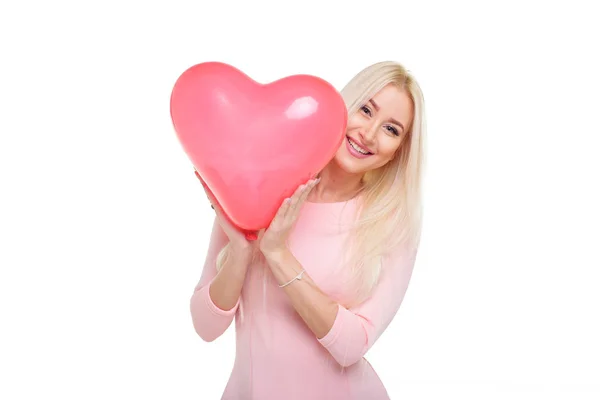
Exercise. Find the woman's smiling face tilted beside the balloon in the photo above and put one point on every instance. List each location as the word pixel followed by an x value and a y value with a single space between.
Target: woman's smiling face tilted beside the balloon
pixel 375 131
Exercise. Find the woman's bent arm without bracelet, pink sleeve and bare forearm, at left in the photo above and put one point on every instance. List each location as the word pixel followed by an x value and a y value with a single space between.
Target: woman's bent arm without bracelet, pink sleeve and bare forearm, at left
pixel 216 296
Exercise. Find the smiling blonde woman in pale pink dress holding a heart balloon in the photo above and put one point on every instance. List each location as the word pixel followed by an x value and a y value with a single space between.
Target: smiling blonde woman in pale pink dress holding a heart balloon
pixel 323 282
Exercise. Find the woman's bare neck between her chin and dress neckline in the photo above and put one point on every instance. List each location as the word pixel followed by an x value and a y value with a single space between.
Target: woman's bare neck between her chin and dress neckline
pixel 336 185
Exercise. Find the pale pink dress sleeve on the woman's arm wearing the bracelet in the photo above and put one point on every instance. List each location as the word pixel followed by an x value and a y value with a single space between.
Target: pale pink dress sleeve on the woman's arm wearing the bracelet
pixel 355 330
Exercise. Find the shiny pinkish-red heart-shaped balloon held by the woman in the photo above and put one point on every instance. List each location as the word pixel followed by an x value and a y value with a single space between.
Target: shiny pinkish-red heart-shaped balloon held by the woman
pixel 254 144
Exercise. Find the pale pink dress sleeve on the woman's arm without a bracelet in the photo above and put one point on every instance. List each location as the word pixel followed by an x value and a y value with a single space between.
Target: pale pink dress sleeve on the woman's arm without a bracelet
pixel 210 321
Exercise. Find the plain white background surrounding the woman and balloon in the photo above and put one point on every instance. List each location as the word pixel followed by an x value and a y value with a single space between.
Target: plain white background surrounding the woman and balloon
pixel 104 226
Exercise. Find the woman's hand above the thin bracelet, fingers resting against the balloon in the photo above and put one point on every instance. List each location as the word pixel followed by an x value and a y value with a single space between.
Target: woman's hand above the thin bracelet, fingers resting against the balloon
pixel 274 238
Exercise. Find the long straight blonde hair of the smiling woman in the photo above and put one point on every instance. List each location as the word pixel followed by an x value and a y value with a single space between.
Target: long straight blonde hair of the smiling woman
pixel 390 211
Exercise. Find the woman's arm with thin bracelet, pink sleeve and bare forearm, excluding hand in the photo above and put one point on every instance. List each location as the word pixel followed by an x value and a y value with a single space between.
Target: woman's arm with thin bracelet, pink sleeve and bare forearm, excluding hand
pixel 346 333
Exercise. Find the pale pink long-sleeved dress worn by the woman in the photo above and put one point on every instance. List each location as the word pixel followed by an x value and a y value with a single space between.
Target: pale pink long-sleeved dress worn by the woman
pixel 277 355
